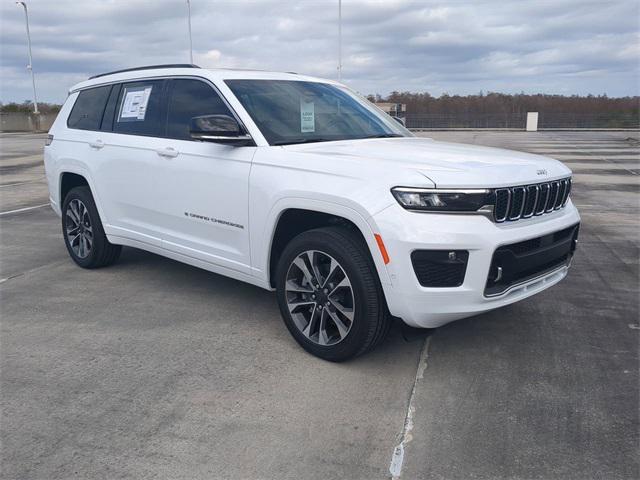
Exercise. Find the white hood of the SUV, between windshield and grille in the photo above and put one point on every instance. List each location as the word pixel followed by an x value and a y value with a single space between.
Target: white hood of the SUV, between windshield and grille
pixel 444 164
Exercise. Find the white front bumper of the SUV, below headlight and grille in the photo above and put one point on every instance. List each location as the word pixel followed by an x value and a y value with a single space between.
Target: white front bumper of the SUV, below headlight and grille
pixel 404 232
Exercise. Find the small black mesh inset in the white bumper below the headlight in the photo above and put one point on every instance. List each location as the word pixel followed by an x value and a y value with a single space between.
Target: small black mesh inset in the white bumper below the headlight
pixel 440 268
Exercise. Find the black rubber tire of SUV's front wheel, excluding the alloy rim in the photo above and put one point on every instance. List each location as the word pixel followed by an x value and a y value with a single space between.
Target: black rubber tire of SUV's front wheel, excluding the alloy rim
pixel 367 308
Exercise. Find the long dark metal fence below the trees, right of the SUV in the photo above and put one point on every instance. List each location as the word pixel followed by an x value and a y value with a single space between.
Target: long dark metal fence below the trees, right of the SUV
pixel 518 121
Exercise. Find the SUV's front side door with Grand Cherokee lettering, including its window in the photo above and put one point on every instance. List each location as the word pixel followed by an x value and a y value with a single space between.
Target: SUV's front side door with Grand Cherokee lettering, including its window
pixel 202 191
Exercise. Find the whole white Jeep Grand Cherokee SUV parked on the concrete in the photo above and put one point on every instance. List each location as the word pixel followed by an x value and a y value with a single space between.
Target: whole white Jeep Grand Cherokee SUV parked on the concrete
pixel 300 185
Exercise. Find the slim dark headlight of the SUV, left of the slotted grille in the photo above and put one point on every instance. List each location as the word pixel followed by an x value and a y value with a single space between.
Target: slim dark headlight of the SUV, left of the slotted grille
pixel 437 200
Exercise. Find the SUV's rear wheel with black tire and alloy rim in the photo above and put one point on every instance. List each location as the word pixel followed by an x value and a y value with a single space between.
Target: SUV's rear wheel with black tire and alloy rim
pixel 86 241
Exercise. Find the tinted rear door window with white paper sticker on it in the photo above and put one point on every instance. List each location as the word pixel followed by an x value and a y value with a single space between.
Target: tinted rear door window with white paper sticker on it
pixel 139 109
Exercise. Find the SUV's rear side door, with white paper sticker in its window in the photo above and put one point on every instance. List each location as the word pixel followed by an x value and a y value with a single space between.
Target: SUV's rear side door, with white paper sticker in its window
pixel 130 150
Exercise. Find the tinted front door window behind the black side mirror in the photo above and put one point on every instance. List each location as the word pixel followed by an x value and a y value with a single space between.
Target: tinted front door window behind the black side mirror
pixel 191 98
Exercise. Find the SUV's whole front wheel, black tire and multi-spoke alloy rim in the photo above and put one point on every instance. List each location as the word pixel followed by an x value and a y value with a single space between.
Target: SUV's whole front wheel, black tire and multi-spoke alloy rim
pixel 363 313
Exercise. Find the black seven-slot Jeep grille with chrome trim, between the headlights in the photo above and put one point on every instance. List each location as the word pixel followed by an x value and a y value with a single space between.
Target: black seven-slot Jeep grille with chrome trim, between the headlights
pixel 514 203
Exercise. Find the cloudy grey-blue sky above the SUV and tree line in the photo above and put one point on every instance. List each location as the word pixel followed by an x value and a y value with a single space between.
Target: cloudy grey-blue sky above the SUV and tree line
pixel 555 46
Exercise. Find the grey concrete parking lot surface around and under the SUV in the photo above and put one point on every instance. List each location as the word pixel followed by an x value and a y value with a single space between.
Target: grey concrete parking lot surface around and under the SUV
pixel 155 369
